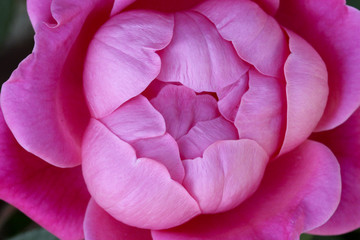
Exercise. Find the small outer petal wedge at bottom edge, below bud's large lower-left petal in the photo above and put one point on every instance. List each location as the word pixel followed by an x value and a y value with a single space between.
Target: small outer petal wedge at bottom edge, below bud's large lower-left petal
pixel 99 224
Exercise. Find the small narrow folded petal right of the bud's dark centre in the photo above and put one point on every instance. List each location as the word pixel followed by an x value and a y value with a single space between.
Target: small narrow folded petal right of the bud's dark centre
pixel 230 97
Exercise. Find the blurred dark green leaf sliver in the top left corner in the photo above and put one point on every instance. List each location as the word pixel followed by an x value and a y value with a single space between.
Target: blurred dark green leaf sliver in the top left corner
pixel 7 10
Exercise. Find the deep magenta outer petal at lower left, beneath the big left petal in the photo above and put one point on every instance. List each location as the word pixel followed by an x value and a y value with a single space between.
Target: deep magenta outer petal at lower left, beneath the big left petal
pixel 53 197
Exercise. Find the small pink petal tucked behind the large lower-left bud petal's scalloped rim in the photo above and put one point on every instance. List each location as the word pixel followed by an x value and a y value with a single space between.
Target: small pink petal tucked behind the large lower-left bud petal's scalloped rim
pixel 163 149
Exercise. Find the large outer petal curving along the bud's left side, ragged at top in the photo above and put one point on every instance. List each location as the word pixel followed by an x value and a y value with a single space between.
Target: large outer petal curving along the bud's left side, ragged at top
pixel 43 100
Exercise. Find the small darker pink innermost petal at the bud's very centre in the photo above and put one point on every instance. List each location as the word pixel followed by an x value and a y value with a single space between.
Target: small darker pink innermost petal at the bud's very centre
pixel 182 108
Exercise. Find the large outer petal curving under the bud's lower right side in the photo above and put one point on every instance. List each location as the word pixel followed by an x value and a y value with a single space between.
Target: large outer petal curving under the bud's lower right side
pixel 299 192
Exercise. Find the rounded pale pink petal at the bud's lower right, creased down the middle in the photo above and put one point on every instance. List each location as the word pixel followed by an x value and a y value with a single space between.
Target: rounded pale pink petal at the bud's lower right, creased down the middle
pixel 228 173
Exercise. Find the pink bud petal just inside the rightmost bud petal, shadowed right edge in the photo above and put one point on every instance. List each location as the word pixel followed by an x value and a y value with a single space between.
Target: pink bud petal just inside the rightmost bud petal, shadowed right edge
pixel 262 112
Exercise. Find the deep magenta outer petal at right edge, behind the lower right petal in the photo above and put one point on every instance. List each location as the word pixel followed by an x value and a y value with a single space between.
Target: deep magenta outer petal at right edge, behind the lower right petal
pixel 344 142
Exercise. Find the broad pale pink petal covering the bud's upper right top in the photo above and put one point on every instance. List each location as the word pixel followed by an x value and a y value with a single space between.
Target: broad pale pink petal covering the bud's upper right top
pixel 256 36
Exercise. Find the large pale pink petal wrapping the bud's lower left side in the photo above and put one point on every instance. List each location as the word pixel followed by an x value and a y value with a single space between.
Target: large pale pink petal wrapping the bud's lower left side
pixel 137 192
